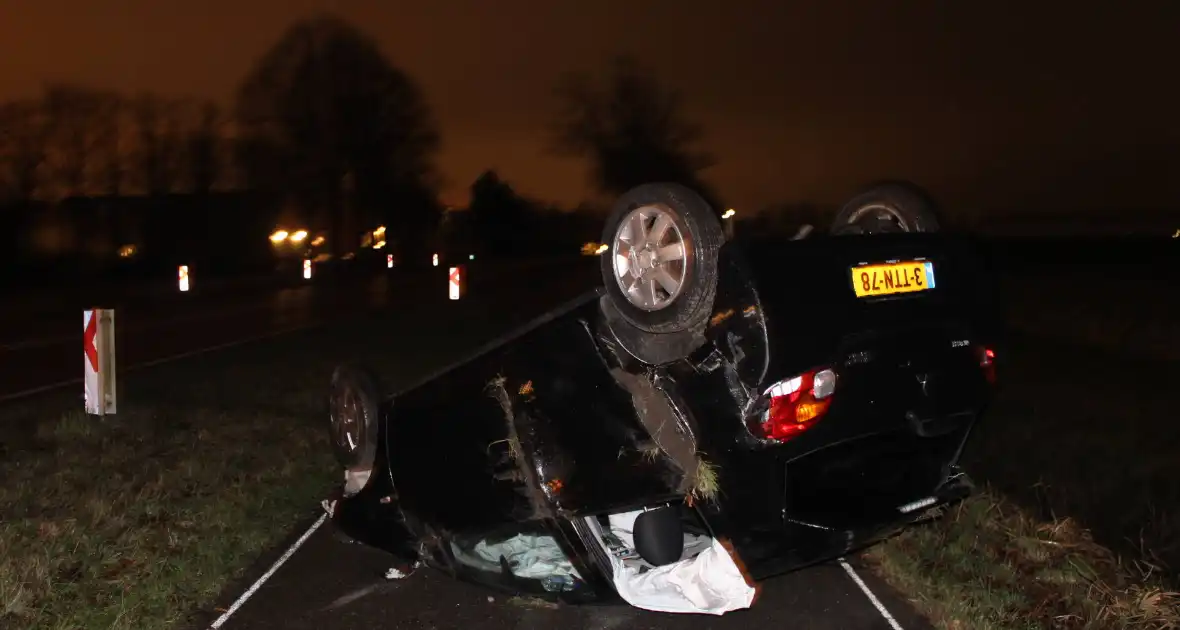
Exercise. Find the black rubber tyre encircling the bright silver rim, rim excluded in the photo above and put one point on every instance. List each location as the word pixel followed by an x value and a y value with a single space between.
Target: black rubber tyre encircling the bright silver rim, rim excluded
pixel 702 234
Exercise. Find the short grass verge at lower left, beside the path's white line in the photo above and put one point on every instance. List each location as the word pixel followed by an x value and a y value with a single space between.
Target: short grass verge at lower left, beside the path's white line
pixel 135 521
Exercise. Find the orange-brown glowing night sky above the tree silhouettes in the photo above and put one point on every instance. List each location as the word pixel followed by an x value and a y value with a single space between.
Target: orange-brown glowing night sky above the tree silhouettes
pixel 992 106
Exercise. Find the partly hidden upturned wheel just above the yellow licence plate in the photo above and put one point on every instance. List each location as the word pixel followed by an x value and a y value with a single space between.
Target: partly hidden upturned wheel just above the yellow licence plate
pixel 891 207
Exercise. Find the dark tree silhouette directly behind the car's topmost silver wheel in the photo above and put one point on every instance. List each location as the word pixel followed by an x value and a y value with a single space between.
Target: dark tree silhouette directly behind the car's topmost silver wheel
pixel 631 128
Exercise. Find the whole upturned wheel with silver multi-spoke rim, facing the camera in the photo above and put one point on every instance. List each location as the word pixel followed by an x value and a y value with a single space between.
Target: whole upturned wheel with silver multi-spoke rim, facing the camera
pixel 661 271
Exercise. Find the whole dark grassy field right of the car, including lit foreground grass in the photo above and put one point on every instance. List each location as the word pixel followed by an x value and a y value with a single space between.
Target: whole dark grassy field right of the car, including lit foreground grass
pixel 1079 526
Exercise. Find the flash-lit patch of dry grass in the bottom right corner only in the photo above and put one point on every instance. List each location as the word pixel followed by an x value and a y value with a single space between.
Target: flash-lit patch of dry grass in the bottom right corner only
pixel 988 565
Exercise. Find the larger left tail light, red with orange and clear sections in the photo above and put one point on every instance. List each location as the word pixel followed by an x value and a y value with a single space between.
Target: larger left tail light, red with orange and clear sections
pixel 797 404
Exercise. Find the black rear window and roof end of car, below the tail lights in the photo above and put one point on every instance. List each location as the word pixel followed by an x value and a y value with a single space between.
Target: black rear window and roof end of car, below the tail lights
pixel 784 514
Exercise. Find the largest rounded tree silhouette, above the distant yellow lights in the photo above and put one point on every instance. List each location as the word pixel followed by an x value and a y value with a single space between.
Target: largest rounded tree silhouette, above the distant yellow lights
pixel 327 122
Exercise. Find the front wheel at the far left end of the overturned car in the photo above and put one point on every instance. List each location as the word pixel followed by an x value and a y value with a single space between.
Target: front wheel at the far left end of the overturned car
pixel 355 392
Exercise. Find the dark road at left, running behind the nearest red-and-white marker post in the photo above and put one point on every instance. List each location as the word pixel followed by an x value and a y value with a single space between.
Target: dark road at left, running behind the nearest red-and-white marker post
pixel 42 347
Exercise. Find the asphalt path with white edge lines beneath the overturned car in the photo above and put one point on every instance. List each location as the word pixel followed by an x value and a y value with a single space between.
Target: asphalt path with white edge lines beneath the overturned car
pixel 329 585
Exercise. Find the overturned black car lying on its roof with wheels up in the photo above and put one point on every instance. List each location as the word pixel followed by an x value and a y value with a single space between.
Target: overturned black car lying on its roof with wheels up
pixel 707 418
